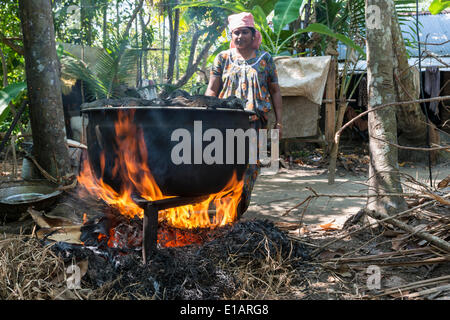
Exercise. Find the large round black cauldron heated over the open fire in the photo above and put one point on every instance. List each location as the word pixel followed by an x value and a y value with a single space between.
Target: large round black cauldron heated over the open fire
pixel 157 124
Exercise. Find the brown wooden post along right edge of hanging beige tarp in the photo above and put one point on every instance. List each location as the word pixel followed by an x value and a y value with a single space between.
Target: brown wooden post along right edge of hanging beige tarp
pixel 330 107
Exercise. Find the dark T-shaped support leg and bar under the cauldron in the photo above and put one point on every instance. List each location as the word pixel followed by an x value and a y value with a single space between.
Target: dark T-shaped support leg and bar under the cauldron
pixel 150 223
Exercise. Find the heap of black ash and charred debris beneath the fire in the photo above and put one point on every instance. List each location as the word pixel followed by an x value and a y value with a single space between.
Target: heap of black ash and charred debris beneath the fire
pixel 191 272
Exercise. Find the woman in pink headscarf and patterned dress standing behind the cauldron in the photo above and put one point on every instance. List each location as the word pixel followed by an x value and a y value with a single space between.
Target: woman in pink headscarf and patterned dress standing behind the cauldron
pixel 248 73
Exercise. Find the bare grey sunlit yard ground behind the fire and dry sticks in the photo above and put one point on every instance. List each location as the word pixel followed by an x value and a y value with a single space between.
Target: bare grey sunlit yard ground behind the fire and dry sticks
pixel 274 195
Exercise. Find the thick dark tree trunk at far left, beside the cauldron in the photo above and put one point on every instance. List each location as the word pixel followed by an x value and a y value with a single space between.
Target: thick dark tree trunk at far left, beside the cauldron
pixel 44 88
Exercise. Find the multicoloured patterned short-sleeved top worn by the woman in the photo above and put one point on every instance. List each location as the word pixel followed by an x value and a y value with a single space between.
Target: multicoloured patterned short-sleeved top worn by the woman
pixel 246 79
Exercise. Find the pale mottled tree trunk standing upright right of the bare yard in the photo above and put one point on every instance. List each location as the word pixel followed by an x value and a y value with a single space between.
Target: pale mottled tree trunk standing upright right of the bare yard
pixel 384 175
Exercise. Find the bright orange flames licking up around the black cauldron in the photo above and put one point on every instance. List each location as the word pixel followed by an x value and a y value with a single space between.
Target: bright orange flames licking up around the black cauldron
pixel 135 175
